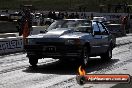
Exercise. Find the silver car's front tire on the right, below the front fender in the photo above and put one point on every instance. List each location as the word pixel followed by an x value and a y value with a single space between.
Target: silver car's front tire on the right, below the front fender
pixel 84 57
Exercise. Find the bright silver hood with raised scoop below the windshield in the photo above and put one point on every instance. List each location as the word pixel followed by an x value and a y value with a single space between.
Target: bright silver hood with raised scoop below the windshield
pixel 60 33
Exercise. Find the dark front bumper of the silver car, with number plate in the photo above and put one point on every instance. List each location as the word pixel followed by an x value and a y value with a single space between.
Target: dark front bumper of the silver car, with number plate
pixel 53 51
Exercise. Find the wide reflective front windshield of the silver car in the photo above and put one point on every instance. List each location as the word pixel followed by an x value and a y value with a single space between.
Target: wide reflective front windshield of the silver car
pixel 76 25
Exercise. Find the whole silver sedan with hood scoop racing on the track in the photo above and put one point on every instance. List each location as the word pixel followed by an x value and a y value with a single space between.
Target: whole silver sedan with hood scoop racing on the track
pixel 71 38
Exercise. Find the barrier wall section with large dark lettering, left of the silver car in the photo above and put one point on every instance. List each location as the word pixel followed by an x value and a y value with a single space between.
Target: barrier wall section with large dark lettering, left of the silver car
pixel 11 45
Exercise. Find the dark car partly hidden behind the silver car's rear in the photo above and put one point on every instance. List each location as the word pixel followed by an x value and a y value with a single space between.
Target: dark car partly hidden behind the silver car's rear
pixel 116 29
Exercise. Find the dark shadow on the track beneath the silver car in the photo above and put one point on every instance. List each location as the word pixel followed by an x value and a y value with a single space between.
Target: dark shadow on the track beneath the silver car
pixel 70 68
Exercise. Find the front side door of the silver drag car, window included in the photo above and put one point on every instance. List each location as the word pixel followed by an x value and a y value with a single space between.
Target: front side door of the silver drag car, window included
pixel 96 41
